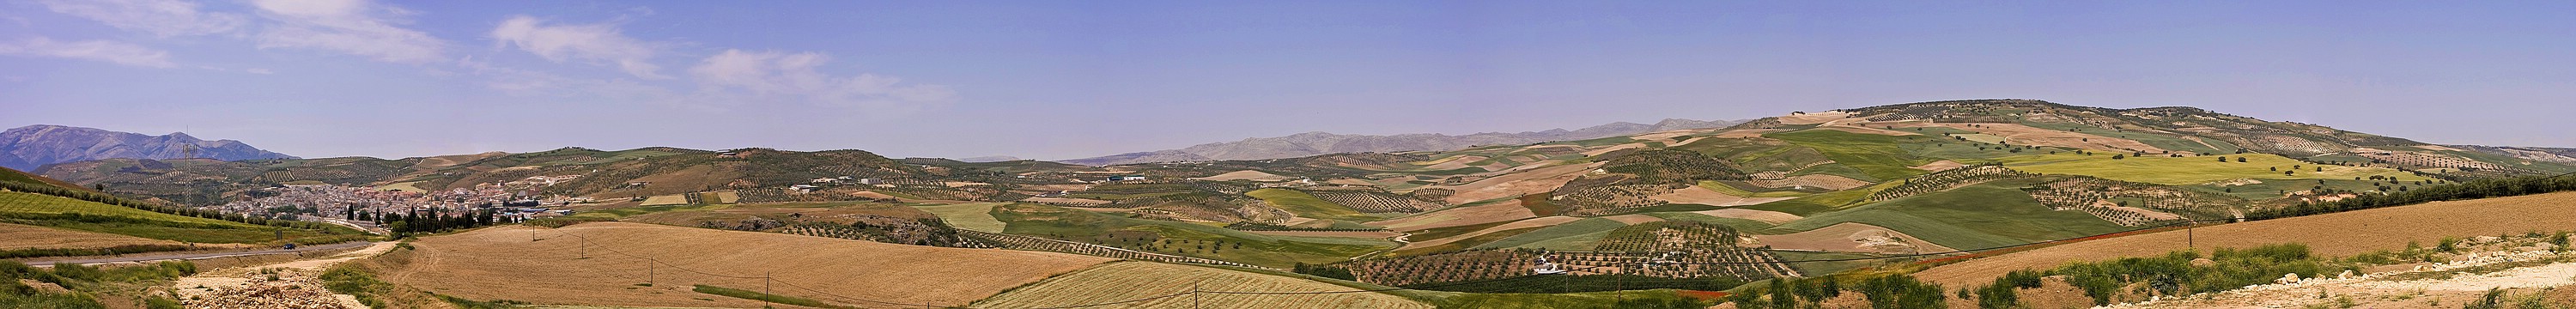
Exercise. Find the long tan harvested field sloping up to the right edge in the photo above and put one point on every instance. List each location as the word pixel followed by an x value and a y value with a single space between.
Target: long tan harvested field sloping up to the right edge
pixel 2335 236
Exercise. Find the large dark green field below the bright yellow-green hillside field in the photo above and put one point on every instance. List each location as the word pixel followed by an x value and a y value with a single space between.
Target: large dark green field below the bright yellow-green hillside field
pixel 1982 215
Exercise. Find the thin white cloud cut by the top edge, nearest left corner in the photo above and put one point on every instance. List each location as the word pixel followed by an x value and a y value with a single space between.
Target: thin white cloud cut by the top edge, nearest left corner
pixel 151 17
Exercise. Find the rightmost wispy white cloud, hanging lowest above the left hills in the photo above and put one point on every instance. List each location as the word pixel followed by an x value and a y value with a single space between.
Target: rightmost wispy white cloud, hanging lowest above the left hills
pixel 769 76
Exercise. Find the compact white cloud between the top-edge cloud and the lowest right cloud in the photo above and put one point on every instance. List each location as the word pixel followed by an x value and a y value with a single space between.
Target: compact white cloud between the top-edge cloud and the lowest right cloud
pixel 594 42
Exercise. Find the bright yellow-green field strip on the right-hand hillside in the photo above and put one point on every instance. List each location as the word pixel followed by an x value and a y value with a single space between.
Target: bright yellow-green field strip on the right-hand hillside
pixel 2193 171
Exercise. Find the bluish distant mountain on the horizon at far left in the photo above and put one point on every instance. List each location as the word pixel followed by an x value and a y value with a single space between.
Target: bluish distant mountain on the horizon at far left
pixel 30 148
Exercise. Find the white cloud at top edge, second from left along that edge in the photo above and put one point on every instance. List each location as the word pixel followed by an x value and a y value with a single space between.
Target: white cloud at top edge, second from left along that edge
pixel 354 27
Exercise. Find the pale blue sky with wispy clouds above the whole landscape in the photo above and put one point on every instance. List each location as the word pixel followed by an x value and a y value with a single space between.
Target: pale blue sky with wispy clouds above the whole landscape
pixel 1055 81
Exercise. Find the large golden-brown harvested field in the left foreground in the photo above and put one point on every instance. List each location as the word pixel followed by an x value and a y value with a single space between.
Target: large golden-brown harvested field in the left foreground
pixel 553 269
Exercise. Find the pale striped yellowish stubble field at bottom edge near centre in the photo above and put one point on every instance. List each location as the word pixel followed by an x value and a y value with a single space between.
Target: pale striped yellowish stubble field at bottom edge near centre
pixel 1122 282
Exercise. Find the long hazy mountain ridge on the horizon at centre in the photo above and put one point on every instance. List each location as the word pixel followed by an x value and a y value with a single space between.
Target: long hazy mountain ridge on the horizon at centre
pixel 1320 143
